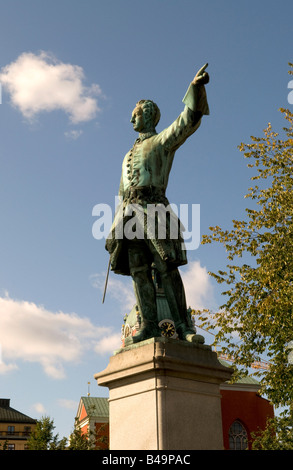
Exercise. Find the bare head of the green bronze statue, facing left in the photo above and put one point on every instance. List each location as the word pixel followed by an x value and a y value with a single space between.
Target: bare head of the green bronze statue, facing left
pixel 145 116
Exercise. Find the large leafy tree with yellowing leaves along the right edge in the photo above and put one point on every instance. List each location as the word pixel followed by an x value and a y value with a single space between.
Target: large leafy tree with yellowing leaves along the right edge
pixel 257 317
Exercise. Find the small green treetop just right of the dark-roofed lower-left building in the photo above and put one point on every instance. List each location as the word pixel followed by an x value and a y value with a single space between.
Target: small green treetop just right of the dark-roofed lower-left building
pixel 43 437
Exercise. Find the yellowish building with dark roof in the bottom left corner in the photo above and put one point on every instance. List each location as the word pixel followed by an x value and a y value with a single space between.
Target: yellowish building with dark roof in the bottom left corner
pixel 15 427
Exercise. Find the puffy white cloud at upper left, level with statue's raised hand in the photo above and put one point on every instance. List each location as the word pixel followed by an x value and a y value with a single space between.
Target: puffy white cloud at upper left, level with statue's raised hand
pixel 39 82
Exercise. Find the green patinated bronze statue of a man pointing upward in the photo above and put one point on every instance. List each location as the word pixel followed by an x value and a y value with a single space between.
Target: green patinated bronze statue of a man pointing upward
pixel 144 179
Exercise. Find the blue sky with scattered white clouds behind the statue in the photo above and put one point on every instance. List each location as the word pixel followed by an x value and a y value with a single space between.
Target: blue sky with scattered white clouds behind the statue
pixel 71 73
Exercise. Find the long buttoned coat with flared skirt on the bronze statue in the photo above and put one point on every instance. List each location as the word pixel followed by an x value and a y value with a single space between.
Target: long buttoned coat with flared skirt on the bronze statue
pixel 145 173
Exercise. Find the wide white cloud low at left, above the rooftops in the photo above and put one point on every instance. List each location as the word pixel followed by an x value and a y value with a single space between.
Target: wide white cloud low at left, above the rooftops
pixel 29 332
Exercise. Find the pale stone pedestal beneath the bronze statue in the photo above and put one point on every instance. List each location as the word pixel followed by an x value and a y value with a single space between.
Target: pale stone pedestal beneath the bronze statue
pixel 164 394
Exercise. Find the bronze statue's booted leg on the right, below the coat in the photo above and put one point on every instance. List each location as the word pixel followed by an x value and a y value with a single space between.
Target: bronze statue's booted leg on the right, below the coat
pixel 173 296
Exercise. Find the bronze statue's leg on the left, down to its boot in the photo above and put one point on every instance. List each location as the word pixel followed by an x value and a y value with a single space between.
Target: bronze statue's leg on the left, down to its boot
pixel 144 289
